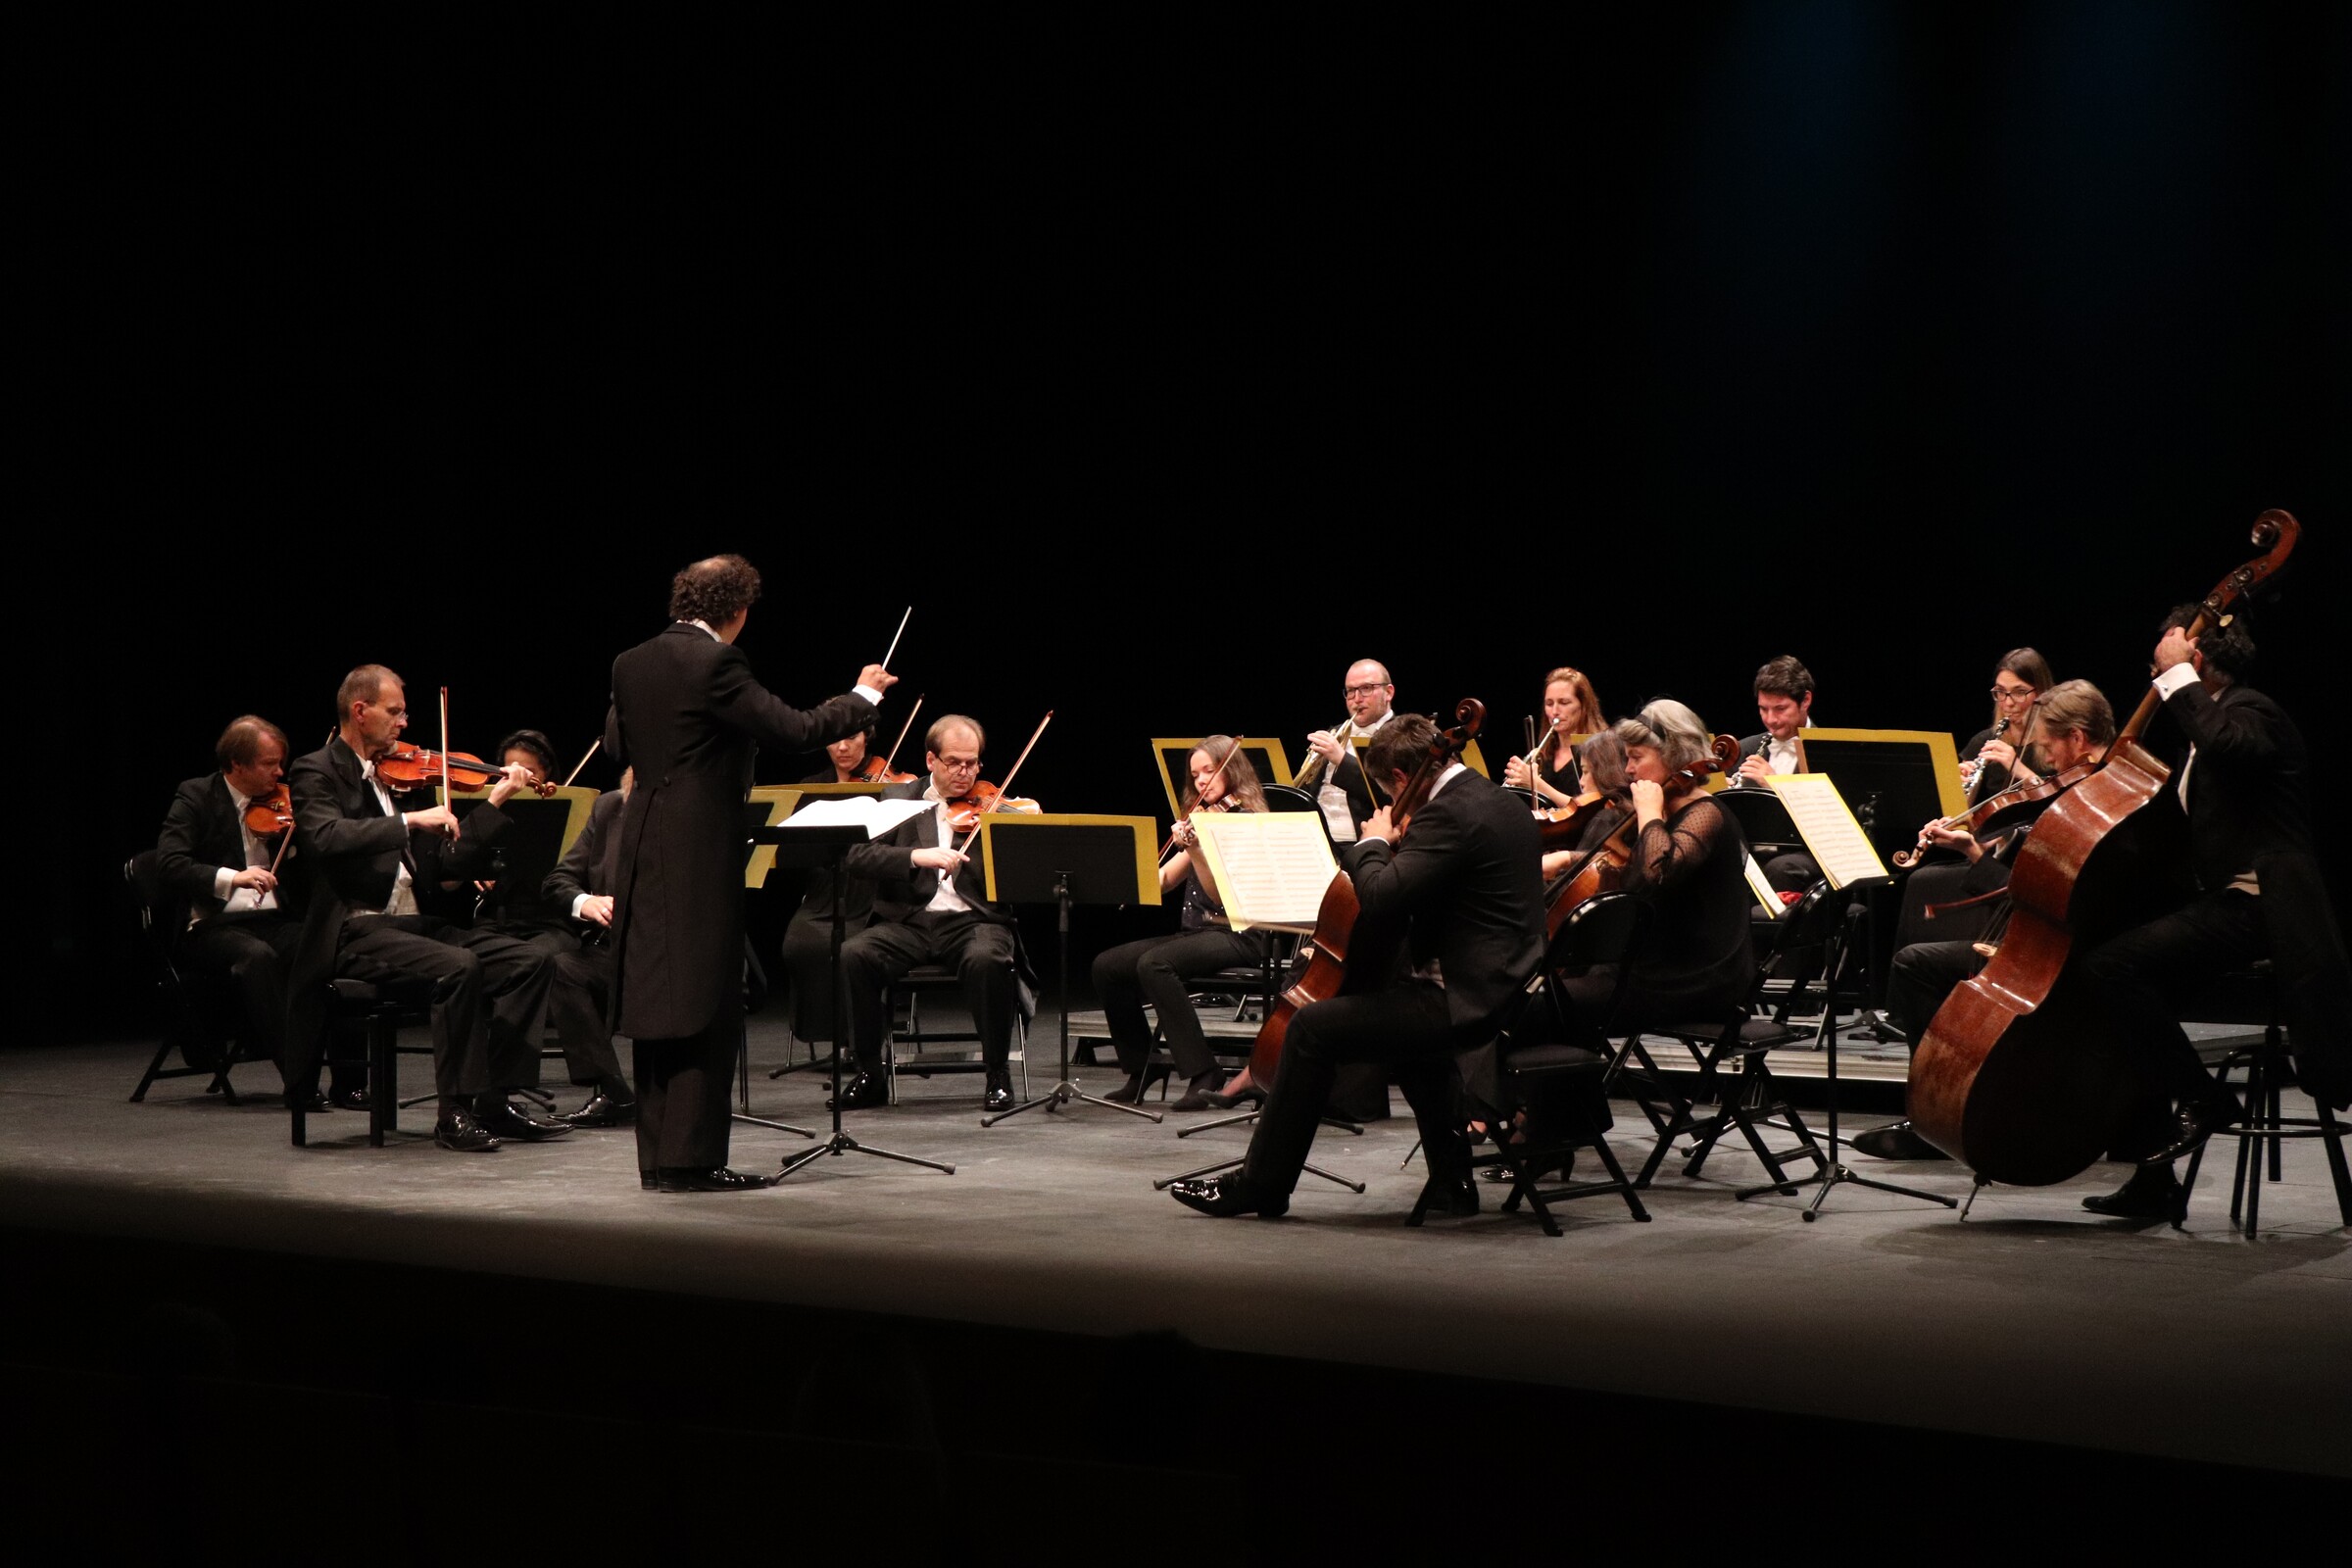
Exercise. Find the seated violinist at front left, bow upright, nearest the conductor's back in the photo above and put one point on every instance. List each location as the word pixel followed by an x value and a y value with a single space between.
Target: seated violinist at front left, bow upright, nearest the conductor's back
pixel 366 862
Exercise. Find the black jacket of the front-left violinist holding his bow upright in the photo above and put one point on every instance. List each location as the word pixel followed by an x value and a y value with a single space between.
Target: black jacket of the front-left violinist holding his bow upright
pixel 347 855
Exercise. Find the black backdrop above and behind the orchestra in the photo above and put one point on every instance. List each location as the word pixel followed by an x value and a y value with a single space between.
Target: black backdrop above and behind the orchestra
pixel 1170 368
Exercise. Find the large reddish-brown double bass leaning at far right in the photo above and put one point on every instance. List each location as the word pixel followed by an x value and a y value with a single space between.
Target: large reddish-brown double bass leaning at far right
pixel 2019 1076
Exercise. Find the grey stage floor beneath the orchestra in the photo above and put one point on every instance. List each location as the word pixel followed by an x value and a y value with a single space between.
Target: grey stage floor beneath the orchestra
pixel 2031 1320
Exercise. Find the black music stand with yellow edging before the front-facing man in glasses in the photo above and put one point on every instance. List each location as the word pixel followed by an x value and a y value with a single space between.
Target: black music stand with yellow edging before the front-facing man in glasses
pixel 1069 862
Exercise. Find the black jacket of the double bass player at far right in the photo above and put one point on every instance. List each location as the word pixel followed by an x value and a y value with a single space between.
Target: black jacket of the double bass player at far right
pixel 2250 810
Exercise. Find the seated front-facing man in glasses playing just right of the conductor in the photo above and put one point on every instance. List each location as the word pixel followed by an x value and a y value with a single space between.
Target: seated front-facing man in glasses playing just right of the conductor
pixel 930 909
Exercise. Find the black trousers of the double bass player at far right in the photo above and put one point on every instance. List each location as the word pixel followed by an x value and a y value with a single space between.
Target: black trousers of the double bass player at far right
pixel 2146 977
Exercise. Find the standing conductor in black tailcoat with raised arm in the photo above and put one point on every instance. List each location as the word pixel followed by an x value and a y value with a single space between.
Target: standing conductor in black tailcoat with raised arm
pixel 688 716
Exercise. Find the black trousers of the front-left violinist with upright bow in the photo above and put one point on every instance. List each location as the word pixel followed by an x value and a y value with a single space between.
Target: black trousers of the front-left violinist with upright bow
pixel 488 993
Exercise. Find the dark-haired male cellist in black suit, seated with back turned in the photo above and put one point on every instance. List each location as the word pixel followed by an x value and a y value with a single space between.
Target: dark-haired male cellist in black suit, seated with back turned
pixel 1462 880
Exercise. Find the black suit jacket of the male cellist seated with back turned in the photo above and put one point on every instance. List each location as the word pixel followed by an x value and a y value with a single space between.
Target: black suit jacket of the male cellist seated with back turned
pixel 1469 873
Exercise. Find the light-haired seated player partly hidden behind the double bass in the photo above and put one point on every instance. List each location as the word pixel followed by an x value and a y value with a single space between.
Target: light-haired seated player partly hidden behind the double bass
pixel 2076 730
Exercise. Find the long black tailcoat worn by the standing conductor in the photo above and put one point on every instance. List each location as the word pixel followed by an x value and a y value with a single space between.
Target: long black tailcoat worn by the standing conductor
pixel 690 718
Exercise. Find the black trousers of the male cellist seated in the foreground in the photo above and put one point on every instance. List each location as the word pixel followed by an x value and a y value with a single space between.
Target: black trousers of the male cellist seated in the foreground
pixel 1408 1033
